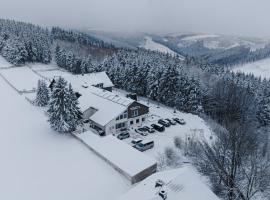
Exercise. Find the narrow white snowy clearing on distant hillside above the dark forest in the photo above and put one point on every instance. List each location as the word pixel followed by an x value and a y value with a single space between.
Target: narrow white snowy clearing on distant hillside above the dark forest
pixel 154 46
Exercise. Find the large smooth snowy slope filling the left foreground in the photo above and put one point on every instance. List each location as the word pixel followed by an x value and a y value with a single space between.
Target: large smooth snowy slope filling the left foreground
pixel 37 163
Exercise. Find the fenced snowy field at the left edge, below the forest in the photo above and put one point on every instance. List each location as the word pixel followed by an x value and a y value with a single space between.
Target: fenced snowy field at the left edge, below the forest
pixel 22 78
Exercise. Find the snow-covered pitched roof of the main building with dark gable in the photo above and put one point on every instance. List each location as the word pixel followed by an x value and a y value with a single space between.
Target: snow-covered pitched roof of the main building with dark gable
pixel 108 104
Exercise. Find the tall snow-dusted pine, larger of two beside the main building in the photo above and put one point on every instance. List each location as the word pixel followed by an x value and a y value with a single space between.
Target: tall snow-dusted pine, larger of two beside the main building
pixel 63 113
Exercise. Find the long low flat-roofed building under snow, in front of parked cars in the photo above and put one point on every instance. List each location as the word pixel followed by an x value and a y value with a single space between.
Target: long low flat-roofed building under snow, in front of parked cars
pixel 132 164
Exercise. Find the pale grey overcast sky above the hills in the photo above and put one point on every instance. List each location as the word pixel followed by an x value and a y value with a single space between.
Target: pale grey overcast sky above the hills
pixel 237 17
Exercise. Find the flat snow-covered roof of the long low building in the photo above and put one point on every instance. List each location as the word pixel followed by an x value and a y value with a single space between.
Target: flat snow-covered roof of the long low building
pixel 118 153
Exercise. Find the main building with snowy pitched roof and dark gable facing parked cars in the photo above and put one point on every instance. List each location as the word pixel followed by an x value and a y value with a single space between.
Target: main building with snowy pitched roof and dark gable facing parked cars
pixel 109 111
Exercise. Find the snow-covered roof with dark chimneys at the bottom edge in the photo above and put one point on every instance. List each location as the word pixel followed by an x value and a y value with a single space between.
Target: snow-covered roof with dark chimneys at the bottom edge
pixel 184 183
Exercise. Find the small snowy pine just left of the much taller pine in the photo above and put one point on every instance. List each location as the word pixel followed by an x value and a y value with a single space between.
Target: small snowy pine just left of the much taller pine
pixel 42 96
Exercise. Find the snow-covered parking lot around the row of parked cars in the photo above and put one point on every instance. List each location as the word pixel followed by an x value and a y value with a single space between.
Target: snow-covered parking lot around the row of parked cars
pixel 194 127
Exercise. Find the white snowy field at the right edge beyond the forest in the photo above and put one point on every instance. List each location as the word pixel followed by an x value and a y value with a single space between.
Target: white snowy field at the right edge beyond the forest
pixel 258 68
